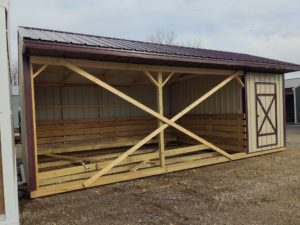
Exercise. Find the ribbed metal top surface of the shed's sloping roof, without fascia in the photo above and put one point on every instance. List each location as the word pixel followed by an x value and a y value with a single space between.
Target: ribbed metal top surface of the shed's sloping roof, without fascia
pixel 138 46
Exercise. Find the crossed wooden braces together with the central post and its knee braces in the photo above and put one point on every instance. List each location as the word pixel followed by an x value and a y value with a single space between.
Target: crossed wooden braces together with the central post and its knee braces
pixel 168 122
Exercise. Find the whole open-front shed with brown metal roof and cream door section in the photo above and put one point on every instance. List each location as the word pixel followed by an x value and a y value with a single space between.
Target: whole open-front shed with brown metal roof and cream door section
pixel 100 110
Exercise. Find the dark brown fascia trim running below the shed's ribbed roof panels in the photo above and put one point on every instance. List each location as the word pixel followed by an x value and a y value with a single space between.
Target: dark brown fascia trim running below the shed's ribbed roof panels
pixel 65 49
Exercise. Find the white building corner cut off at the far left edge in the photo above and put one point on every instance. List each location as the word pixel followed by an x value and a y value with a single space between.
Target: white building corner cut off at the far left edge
pixel 8 181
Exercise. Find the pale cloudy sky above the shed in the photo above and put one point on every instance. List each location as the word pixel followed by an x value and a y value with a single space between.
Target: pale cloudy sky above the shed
pixel 268 28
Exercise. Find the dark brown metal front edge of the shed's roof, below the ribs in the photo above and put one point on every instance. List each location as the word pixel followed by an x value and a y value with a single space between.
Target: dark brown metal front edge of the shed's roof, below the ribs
pixel 66 47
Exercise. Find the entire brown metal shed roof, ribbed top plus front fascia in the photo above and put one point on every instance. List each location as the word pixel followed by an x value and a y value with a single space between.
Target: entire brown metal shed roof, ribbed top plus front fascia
pixel 150 52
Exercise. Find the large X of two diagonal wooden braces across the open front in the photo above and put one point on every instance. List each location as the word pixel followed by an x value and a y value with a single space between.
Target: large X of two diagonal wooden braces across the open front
pixel 168 122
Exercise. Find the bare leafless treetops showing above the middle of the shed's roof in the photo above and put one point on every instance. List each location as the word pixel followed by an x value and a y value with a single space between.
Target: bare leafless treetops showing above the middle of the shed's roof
pixel 169 38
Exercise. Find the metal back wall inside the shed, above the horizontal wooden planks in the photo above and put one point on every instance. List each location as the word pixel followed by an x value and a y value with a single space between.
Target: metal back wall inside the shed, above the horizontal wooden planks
pixel 81 102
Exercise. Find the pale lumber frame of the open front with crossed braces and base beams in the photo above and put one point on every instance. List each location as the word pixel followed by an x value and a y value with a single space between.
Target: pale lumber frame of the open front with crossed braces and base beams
pixel 118 163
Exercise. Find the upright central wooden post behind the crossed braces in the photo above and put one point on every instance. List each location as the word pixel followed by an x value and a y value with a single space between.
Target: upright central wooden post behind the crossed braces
pixel 160 109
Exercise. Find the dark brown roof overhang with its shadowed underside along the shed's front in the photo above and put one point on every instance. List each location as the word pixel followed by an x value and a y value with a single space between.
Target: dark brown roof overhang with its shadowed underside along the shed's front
pixel 55 49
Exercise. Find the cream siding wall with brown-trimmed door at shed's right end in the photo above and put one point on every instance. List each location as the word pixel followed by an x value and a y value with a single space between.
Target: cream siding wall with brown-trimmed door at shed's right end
pixel 256 114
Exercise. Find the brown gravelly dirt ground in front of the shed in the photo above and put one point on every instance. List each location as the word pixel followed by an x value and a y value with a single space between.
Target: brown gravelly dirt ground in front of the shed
pixel 258 190
